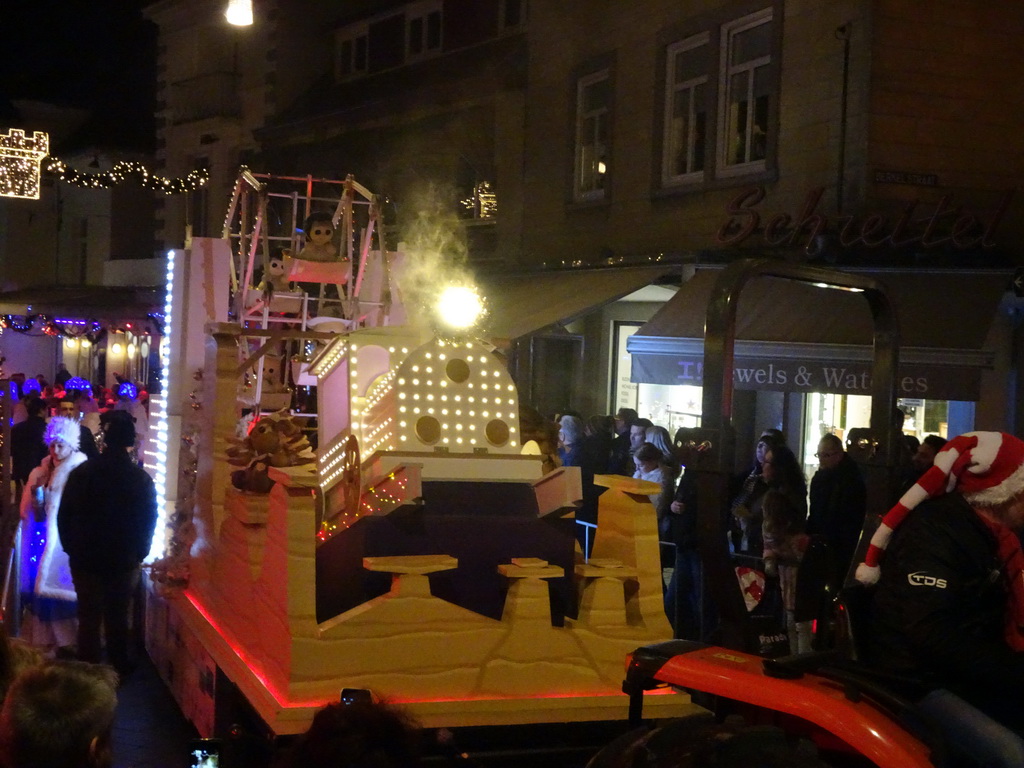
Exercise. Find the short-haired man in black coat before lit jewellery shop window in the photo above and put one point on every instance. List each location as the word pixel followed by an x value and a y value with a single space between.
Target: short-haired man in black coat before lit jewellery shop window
pixel 839 499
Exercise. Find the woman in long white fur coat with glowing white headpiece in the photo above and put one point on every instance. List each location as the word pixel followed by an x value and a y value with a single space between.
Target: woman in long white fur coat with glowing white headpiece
pixel 48 590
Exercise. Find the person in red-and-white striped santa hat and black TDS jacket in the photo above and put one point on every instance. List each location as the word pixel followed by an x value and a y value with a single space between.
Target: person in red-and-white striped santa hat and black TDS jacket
pixel 949 607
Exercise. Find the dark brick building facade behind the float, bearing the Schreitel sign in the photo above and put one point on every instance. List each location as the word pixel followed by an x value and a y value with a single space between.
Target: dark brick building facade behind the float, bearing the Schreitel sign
pixel 864 134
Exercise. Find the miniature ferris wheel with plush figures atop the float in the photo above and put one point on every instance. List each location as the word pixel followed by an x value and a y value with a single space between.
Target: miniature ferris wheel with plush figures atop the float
pixel 308 262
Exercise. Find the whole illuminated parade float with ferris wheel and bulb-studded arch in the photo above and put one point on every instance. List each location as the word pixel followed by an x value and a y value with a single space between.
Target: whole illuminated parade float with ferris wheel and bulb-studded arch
pixel 349 500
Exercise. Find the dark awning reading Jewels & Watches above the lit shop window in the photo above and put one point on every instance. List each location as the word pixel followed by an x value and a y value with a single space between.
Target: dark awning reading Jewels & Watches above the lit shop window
pixel 798 338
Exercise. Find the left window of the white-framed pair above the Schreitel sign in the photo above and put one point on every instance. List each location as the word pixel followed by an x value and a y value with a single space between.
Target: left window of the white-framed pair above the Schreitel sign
pixel 685 142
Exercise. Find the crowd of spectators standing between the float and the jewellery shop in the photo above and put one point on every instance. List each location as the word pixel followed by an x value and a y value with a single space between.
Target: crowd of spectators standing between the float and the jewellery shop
pixel 776 514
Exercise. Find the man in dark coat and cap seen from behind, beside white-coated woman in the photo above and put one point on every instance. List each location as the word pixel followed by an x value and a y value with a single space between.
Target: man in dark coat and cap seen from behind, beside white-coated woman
pixel 107 520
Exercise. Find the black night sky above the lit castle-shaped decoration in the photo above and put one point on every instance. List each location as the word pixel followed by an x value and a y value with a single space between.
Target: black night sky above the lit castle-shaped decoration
pixel 97 55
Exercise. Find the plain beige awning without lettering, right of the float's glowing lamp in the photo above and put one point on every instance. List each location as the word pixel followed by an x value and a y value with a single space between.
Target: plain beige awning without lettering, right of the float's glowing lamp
pixel 524 304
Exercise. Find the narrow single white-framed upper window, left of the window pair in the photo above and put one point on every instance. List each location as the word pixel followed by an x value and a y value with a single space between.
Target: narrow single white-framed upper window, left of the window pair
pixel 593 116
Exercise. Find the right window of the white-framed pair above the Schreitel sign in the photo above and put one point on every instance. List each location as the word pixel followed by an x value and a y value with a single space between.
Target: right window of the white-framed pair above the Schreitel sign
pixel 746 94
